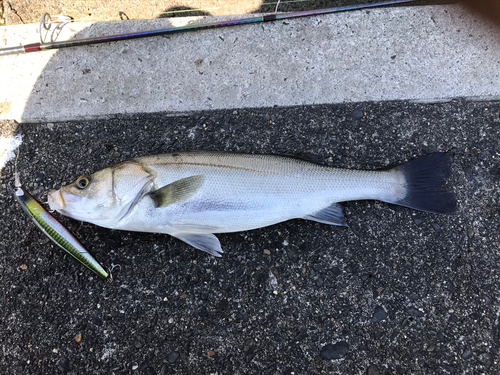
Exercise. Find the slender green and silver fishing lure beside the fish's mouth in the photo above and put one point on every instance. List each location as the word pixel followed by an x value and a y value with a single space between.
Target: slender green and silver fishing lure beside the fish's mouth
pixel 55 231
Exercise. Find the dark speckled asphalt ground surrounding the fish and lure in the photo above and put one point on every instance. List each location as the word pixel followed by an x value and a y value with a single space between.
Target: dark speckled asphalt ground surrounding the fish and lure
pixel 398 292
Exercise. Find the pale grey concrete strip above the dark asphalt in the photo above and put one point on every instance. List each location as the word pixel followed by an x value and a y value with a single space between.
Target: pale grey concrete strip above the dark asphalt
pixel 430 53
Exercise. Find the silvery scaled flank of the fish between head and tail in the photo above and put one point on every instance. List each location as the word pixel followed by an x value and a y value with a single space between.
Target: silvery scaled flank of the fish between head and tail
pixel 274 189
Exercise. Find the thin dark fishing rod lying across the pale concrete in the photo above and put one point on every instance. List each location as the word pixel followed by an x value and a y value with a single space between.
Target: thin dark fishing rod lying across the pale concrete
pixel 36 47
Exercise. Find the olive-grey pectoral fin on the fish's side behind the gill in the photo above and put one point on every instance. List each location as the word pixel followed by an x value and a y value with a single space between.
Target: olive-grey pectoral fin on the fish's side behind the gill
pixel 177 191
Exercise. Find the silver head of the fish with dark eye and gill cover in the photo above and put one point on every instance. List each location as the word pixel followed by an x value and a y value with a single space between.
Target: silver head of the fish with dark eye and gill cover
pixel 103 197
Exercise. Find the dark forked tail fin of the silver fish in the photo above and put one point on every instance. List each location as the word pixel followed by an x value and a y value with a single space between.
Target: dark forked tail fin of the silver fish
pixel 425 178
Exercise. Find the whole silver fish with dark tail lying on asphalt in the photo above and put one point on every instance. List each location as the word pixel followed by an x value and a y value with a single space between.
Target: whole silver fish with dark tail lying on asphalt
pixel 194 195
